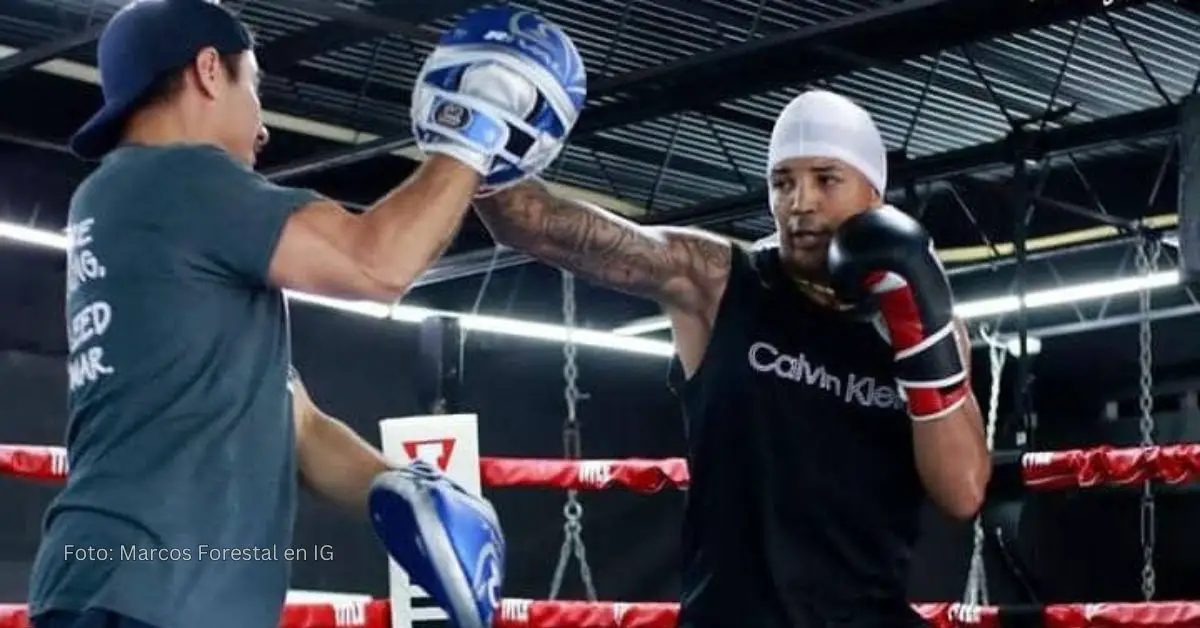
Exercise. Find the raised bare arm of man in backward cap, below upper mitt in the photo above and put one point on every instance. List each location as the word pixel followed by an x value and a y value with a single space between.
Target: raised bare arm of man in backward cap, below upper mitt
pixel 377 255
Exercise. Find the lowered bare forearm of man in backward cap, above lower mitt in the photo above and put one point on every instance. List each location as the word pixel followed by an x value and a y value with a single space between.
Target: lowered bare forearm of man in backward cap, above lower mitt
pixel 335 463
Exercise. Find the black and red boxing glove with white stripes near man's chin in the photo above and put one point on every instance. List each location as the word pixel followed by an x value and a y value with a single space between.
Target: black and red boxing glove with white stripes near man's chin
pixel 887 258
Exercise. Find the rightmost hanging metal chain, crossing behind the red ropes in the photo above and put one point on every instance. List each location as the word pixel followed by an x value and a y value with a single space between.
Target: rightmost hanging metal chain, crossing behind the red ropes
pixel 1148 262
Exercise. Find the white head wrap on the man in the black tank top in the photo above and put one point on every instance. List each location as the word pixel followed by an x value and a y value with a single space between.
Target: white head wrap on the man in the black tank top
pixel 823 124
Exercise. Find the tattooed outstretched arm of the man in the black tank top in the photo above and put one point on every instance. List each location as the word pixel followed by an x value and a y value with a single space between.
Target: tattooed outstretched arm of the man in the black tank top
pixel 665 265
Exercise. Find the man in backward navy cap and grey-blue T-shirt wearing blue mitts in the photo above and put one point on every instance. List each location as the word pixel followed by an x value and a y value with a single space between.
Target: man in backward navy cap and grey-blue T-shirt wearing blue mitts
pixel 183 438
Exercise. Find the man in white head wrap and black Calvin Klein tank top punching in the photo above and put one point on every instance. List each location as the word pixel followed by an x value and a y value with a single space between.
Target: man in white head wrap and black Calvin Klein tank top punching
pixel 824 379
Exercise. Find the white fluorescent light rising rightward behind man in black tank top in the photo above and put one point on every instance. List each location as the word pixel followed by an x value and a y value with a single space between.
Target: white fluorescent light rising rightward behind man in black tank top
pixel 997 306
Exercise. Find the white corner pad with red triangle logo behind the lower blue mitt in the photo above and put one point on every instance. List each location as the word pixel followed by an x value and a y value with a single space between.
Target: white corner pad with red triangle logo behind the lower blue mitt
pixel 449 442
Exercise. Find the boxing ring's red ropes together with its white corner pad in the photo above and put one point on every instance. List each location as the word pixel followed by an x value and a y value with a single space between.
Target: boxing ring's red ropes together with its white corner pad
pixel 452 442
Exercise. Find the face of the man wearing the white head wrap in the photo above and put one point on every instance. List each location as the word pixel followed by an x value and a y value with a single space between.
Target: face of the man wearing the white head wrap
pixel 812 198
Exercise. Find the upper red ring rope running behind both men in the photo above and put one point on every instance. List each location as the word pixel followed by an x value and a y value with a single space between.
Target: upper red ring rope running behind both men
pixel 1041 470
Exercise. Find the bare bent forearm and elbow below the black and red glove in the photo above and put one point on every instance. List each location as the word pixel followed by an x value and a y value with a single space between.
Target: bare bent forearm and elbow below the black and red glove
pixel 952 453
